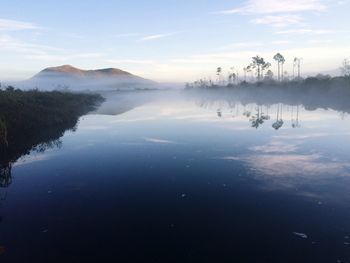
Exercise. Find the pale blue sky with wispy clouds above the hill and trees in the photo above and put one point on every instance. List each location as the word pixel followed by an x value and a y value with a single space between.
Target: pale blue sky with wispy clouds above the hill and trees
pixel 171 40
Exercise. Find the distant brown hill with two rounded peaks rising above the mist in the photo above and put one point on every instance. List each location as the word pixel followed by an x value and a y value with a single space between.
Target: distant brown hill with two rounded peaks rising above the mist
pixel 69 77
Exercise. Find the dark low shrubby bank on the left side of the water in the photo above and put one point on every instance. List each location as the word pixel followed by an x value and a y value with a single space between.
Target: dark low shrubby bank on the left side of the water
pixel 35 120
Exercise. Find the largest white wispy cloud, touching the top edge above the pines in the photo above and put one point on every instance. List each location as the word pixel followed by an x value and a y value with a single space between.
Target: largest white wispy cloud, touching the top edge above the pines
pixel 276 6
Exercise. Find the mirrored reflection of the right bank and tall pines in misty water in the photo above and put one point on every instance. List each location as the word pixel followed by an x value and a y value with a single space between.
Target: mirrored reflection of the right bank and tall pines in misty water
pixel 227 101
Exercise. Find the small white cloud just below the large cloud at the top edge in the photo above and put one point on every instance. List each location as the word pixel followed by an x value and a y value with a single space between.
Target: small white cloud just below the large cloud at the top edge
pixel 279 20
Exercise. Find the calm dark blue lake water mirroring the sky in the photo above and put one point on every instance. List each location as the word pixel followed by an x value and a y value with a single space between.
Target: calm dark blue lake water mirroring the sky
pixel 166 177
